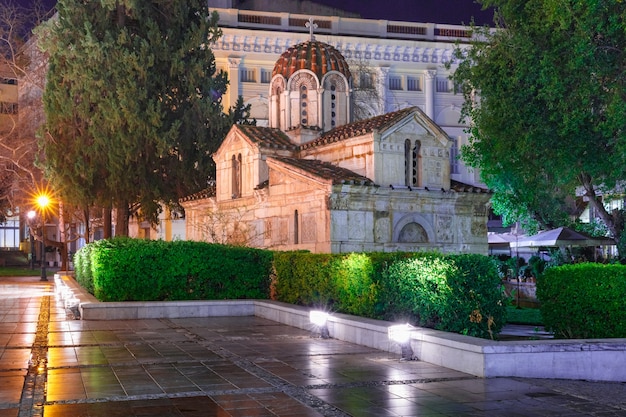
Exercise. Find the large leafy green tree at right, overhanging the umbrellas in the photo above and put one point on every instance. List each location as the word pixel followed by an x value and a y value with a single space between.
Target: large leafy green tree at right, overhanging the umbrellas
pixel 545 96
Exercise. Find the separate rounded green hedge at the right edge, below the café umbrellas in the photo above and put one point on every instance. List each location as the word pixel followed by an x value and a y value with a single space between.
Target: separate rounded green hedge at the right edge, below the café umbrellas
pixel 584 300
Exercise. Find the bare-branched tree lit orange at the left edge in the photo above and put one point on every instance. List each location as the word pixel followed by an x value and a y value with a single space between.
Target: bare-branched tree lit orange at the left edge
pixel 21 85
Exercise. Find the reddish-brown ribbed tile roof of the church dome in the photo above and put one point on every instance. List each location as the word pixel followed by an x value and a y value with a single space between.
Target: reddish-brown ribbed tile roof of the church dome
pixel 318 57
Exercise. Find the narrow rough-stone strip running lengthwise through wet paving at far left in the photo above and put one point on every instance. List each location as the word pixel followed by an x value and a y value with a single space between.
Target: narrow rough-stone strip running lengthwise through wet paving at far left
pixel 34 389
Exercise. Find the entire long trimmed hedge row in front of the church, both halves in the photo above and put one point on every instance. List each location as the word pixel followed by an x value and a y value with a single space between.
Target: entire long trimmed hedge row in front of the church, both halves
pixel 457 293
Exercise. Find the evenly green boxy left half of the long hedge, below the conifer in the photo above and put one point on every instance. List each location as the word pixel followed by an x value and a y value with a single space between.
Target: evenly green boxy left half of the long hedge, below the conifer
pixel 125 269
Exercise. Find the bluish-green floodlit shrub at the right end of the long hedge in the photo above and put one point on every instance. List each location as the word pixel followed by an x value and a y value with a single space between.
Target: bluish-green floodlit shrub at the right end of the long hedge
pixel 457 293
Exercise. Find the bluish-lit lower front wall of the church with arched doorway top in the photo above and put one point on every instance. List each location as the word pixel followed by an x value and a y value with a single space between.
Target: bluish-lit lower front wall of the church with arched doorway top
pixel 402 220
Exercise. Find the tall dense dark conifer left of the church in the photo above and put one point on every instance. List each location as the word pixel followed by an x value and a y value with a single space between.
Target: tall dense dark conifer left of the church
pixel 133 103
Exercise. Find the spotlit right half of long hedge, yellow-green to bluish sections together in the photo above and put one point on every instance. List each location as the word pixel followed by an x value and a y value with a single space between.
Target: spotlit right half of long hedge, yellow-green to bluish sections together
pixel 457 293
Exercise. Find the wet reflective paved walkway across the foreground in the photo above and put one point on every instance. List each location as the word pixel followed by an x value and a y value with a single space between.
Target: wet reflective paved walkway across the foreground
pixel 54 366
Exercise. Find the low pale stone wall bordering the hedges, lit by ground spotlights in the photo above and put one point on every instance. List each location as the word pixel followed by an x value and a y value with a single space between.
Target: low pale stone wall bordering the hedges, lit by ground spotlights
pixel 594 360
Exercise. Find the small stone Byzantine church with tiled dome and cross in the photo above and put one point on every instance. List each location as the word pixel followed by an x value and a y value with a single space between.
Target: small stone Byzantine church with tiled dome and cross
pixel 316 180
